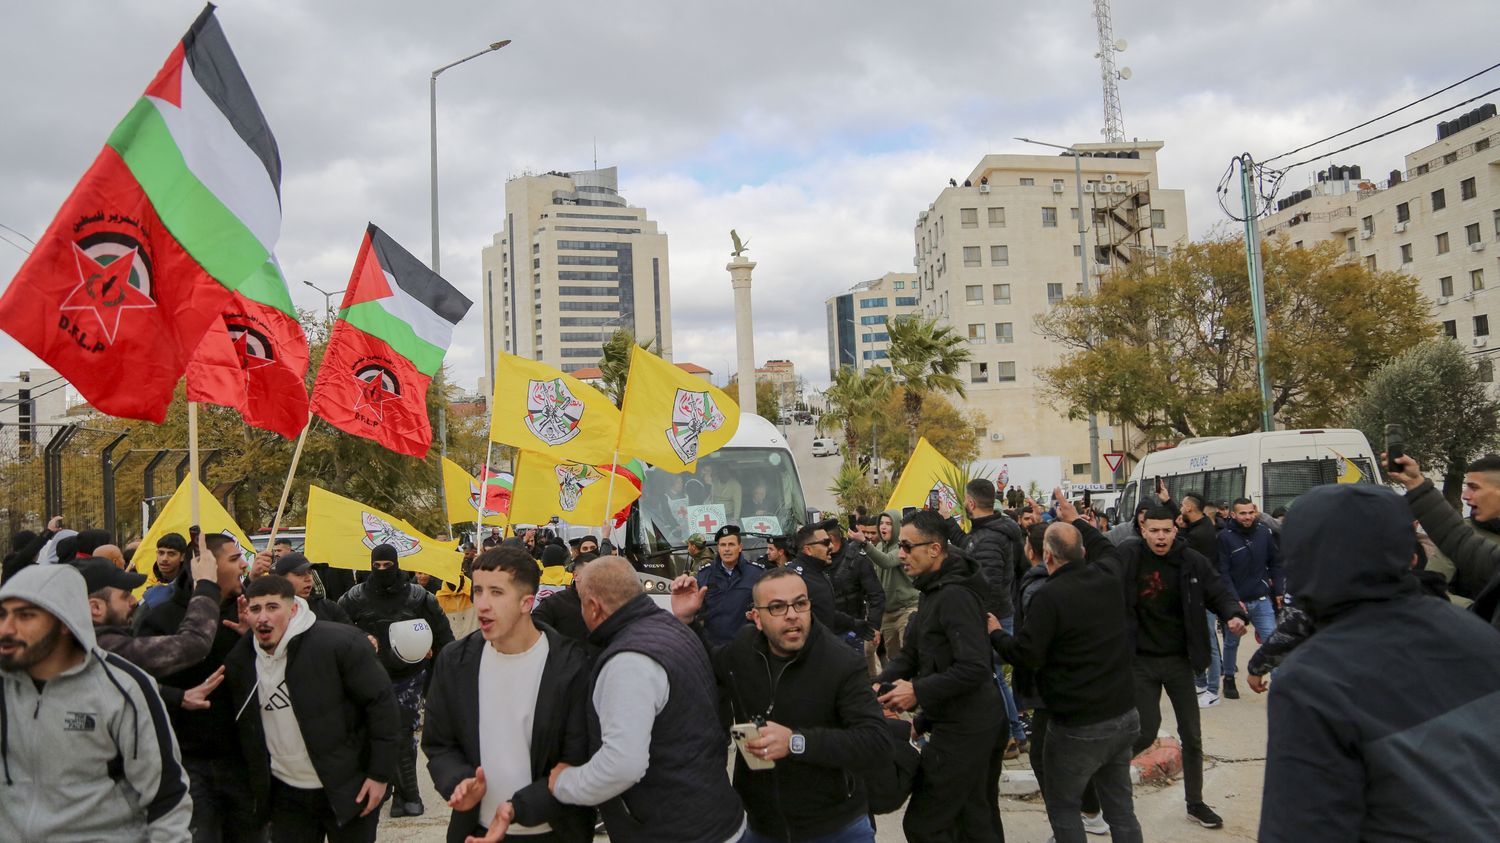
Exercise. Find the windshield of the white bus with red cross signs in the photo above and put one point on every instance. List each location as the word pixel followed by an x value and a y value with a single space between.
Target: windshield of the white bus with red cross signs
pixel 752 488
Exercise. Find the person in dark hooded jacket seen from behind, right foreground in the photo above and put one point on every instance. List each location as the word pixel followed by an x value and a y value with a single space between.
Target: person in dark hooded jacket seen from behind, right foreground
pixel 1354 755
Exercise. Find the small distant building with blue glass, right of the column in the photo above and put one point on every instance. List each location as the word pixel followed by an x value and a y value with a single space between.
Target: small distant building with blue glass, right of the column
pixel 857 320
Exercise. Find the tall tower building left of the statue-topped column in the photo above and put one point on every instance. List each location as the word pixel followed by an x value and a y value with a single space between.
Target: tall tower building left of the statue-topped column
pixel 572 265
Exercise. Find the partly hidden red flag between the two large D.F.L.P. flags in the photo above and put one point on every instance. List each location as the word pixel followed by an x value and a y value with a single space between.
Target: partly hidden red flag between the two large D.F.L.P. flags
pixel 254 358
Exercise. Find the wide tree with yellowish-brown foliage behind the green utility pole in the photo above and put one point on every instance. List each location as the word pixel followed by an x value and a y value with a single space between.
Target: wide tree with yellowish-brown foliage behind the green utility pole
pixel 1171 349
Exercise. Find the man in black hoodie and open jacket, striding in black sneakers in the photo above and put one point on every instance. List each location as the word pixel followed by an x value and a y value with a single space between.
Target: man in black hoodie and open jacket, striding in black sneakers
pixel 1168 589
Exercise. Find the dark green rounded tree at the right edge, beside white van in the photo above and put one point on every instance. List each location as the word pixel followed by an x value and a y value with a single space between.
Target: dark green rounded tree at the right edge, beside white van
pixel 1441 401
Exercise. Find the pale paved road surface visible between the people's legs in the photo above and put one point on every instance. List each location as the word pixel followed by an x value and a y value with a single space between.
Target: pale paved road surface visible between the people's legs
pixel 1235 742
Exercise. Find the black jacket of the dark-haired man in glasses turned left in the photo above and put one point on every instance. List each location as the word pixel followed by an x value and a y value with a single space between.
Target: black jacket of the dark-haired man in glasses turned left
pixel 947 650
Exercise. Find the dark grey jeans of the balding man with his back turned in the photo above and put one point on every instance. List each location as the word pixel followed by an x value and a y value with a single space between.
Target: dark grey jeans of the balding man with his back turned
pixel 1102 754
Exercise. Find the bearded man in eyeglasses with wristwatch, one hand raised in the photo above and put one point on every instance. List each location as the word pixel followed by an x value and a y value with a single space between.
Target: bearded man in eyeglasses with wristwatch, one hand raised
pixel 814 709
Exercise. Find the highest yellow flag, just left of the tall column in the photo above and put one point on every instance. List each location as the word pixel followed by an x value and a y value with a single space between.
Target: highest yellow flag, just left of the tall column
pixel 670 418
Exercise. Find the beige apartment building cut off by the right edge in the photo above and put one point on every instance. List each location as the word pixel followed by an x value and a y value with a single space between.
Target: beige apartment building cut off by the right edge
pixel 1438 220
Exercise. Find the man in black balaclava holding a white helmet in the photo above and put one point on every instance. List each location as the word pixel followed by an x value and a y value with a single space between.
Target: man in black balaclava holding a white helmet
pixel 388 598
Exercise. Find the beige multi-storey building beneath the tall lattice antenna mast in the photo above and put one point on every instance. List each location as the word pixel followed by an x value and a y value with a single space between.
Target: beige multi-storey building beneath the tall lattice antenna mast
pixel 1003 248
